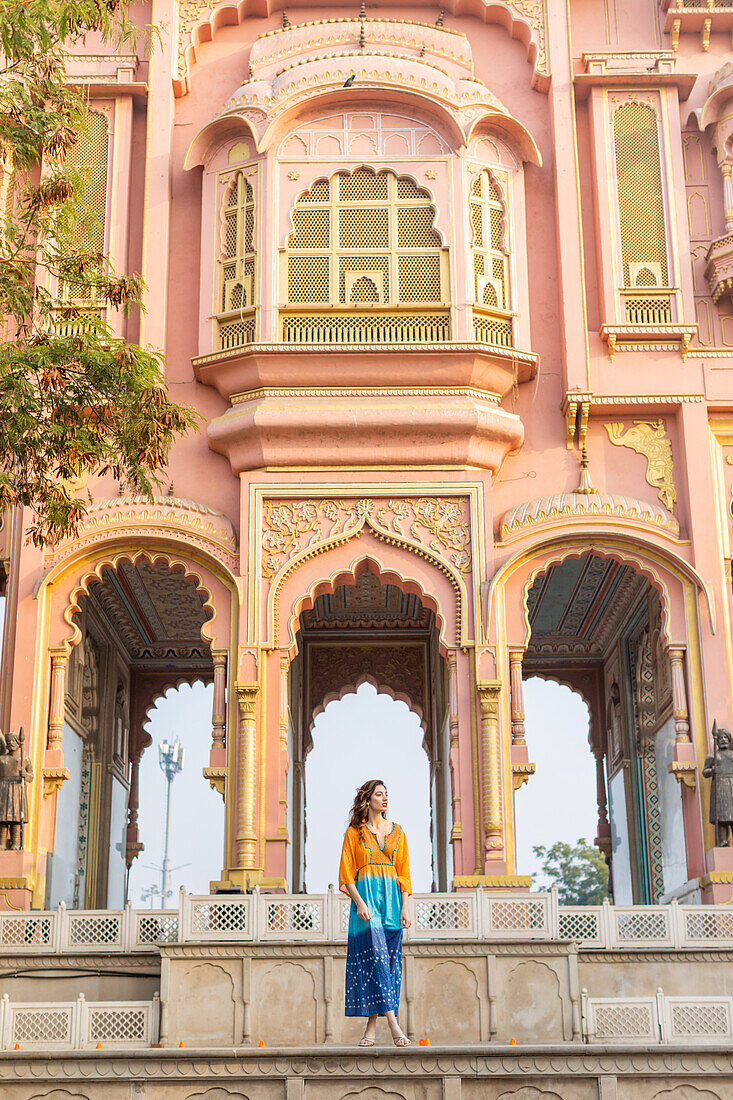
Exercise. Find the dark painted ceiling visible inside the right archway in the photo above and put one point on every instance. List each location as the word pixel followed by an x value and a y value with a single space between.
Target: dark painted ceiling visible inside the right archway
pixel 578 606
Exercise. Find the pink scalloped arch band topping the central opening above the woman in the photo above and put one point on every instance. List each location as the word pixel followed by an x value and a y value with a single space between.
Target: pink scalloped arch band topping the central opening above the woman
pixel 294 587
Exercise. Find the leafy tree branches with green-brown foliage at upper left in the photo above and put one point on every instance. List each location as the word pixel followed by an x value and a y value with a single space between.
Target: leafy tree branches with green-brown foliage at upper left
pixel 74 400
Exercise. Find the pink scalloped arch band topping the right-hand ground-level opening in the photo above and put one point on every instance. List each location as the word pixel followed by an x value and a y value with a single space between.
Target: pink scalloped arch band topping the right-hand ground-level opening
pixel 666 571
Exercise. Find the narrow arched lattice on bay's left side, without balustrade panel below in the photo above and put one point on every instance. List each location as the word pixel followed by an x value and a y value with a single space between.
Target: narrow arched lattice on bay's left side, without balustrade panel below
pixel 238 252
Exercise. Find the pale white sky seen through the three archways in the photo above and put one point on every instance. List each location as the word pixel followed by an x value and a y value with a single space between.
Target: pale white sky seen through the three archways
pixel 364 736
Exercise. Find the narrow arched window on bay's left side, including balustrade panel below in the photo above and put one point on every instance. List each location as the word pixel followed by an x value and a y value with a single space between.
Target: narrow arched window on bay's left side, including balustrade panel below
pixel 237 266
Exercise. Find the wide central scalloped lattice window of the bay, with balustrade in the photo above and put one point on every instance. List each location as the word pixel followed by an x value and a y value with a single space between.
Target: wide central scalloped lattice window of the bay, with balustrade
pixel 365 241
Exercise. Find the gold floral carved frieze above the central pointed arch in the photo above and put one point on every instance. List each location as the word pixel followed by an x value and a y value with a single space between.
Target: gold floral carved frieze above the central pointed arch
pixel 440 524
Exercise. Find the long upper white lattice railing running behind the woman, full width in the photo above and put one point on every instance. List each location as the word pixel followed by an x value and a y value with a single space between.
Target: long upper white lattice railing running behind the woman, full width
pixel 468 915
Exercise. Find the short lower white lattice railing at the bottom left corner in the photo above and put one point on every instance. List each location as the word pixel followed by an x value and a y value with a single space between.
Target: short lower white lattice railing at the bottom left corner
pixel 79 1026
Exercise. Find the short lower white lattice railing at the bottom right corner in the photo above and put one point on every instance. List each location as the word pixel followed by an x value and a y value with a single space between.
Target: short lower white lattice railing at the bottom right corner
pixel 658 1019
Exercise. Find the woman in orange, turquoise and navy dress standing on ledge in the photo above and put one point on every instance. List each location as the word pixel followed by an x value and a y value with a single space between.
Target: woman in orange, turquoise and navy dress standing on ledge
pixel 375 873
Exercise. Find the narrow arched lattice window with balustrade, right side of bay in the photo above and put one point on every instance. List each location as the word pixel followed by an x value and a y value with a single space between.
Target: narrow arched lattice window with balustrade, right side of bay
pixel 493 321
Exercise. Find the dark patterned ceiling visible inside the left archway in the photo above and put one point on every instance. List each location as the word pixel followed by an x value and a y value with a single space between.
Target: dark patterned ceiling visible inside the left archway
pixel 157 613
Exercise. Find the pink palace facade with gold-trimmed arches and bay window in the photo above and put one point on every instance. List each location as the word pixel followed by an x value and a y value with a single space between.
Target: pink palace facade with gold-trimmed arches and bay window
pixel 452 292
